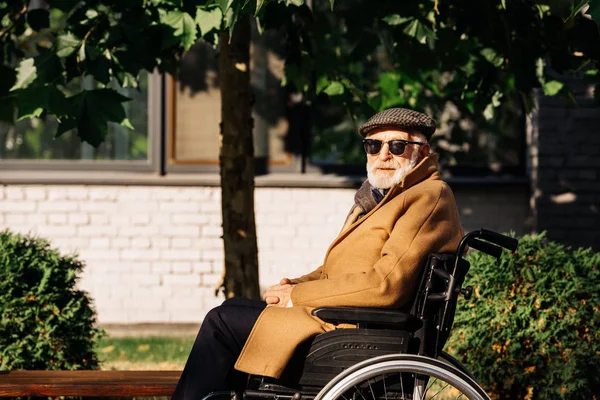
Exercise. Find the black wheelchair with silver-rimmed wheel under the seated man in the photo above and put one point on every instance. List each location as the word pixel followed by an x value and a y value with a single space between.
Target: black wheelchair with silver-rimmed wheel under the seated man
pixel 392 354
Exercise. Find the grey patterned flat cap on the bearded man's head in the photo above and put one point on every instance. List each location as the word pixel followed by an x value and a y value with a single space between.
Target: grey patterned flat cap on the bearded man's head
pixel 399 118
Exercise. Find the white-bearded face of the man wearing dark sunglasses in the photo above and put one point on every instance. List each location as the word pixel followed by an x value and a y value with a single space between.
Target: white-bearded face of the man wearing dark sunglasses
pixel 386 169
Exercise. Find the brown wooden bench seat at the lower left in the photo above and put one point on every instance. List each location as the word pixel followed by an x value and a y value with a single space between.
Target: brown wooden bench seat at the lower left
pixel 88 383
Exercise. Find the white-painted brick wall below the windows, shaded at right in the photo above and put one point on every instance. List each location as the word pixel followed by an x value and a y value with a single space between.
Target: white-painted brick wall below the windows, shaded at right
pixel 154 254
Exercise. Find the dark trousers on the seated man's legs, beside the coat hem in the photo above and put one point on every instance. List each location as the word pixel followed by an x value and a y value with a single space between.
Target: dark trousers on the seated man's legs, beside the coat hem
pixel 218 345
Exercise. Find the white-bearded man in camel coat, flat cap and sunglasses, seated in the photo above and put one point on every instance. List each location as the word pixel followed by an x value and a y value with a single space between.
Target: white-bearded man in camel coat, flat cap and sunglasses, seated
pixel 402 213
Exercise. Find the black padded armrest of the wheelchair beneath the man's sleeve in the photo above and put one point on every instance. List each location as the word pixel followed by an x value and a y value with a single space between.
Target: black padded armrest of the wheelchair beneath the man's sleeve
pixel 361 316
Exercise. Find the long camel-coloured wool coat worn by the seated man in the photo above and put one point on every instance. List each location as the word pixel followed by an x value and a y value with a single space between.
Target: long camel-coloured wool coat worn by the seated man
pixel 375 261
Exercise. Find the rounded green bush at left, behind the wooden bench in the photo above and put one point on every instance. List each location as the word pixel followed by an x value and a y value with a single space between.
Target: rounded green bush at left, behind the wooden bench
pixel 45 322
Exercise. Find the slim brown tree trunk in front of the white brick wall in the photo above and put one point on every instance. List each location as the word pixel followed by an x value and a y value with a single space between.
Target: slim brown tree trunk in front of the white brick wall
pixel 236 157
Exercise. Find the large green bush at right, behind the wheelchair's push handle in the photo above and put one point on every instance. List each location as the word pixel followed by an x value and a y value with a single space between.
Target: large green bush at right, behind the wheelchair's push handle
pixel 531 330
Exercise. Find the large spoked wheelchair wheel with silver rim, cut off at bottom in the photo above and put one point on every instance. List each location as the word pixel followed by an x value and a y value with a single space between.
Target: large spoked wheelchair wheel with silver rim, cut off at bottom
pixel 402 377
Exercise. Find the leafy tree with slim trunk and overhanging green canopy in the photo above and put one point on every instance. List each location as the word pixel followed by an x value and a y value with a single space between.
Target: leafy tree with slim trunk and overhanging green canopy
pixel 473 63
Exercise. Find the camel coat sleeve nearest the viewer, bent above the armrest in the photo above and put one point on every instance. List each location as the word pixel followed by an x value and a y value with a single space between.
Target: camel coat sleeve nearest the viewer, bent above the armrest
pixel 428 223
